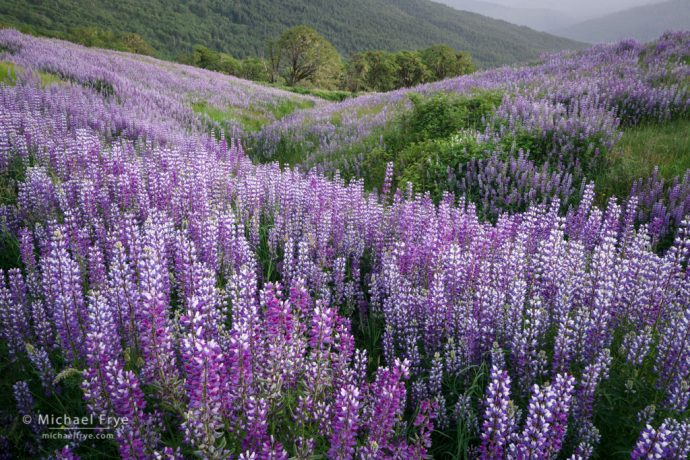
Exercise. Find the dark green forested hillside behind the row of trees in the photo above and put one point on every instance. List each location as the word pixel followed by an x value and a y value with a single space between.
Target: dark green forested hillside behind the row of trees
pixel 242 27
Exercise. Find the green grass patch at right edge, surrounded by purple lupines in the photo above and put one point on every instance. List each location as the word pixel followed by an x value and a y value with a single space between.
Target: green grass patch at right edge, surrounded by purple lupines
pixel 640 150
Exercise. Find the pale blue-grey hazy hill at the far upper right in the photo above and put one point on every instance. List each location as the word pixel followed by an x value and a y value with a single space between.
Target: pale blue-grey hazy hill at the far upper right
pixel 643 23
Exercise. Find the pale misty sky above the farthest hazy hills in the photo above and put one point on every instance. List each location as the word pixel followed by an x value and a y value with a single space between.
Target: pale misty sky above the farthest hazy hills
pixel 580 8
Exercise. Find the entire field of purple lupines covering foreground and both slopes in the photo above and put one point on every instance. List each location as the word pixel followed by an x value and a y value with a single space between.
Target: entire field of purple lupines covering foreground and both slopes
pixel 195 303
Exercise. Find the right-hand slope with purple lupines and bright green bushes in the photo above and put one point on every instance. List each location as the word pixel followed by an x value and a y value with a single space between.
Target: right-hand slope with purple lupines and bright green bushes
pixel 538 133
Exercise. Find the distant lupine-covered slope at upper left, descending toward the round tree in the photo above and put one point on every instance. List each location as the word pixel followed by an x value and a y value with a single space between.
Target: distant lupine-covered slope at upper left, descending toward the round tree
pixel 150 94
